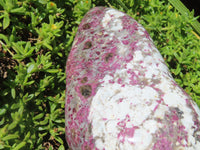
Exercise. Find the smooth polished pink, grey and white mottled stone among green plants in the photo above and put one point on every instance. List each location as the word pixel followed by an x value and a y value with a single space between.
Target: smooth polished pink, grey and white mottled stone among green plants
pixel 120 94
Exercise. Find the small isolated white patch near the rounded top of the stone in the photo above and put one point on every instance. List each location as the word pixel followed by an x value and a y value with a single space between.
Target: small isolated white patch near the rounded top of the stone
pixel 112 17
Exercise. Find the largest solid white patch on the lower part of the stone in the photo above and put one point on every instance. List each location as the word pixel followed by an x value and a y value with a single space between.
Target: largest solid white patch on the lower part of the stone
pixel 111 105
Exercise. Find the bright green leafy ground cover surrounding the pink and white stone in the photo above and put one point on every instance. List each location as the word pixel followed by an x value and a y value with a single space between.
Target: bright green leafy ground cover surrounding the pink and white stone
pixel 35 39
